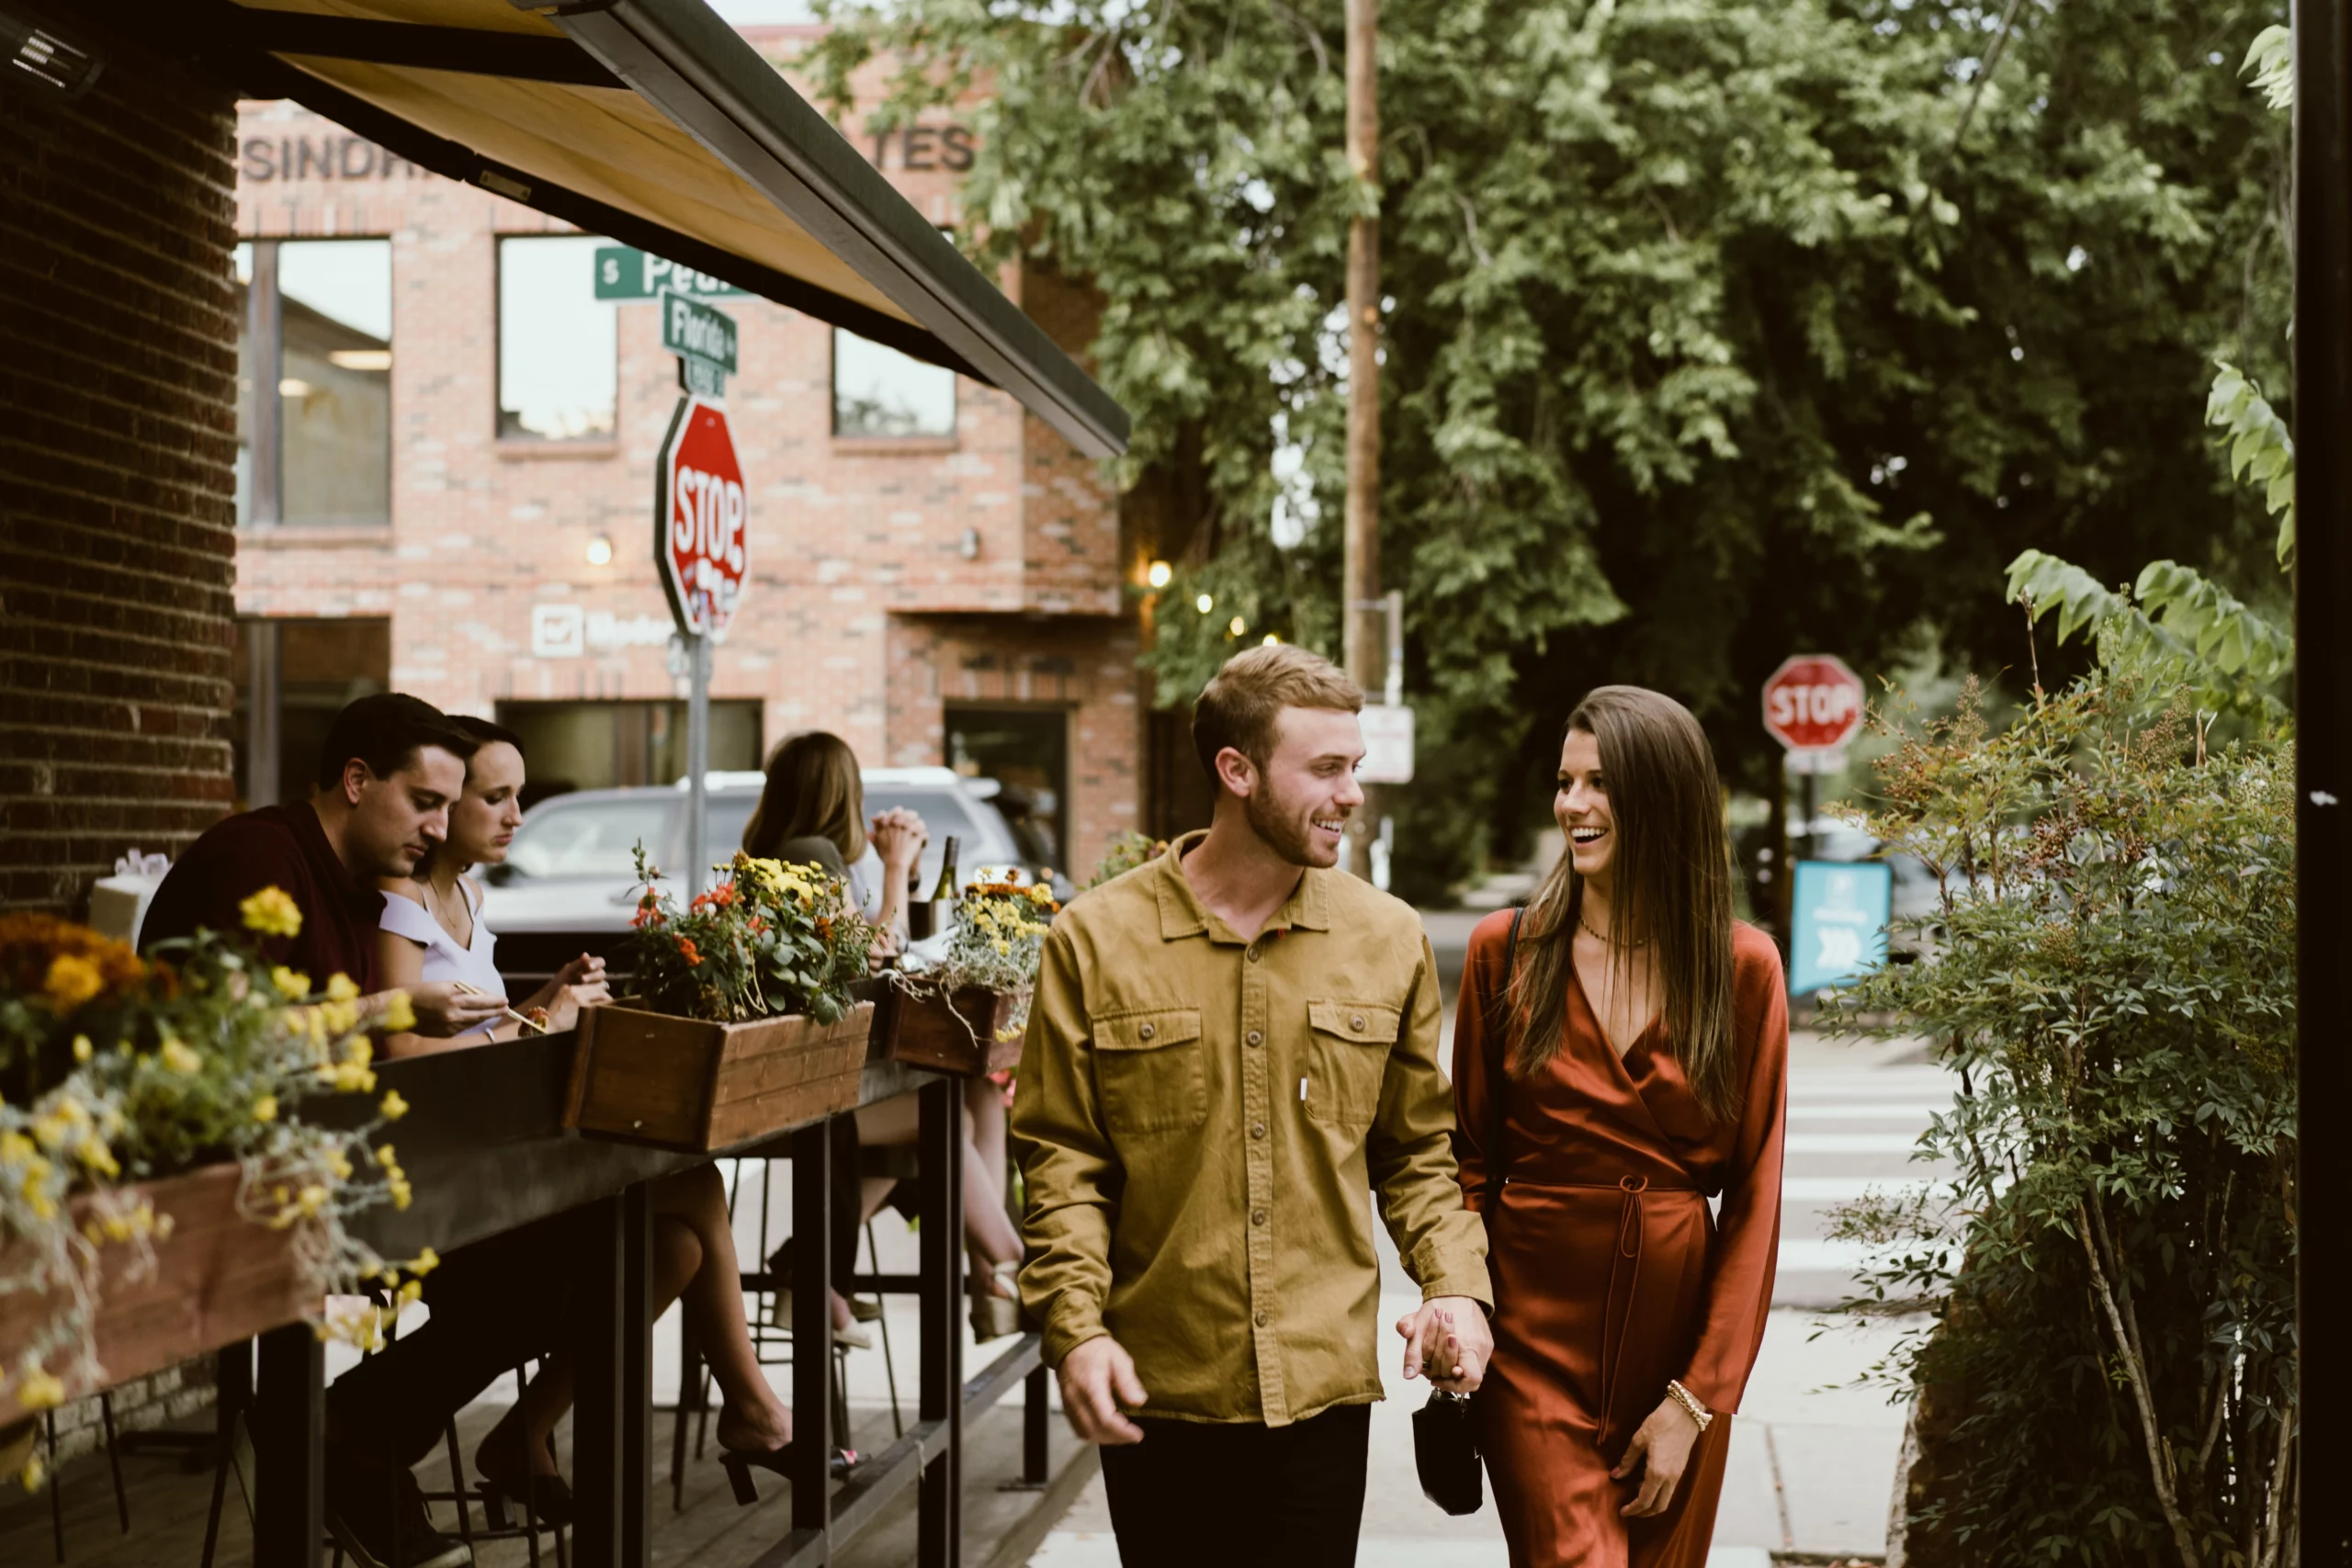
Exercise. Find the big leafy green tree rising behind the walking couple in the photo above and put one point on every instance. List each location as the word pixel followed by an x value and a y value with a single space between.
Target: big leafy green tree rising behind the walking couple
pixel 1718 330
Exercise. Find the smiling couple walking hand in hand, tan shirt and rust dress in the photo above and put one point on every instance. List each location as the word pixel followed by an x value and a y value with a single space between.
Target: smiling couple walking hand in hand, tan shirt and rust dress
pixel 1231 1045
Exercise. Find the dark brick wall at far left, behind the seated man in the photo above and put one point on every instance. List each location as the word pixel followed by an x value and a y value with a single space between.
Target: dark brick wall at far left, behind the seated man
pixel 116 443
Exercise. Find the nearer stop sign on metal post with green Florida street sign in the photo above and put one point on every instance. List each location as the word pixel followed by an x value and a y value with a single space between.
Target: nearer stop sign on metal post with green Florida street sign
pixel 700 530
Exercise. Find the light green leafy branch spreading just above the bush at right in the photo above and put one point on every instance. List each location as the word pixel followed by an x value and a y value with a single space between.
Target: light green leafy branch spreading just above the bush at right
pixel 2170 631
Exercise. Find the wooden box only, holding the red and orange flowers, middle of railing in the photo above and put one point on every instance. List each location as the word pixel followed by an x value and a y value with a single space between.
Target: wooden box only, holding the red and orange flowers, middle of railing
pixel 697 1087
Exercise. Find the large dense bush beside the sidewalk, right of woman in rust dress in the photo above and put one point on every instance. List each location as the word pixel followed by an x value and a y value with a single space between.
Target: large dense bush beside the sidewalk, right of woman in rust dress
pixel 2113 977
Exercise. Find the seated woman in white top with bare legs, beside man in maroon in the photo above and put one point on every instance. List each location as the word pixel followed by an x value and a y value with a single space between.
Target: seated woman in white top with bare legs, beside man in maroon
pixel 432 930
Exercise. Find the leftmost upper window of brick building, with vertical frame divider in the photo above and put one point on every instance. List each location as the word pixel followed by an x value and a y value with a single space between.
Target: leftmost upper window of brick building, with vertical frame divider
pixel 316 382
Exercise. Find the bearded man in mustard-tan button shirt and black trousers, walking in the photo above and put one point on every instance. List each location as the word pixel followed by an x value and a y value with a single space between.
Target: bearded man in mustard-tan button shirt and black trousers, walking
pixel 1227 1052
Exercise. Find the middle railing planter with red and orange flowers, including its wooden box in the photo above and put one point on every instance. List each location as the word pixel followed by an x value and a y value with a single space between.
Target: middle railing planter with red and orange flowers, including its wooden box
pixel 740 1024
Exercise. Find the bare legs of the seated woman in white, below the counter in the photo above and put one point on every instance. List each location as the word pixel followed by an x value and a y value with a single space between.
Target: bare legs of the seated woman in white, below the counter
pixel 695 1261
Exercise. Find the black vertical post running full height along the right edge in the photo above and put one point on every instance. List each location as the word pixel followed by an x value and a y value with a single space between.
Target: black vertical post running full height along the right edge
pixel 2323 753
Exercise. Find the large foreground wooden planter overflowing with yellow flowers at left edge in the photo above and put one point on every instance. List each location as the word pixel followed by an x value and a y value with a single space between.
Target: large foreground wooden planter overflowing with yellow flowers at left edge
pixel 159 1188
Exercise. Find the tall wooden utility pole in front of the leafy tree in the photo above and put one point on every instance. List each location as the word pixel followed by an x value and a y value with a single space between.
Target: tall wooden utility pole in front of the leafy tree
pixel 1361 551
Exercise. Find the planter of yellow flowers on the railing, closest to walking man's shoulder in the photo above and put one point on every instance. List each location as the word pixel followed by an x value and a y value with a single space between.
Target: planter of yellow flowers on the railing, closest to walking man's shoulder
pixel 968 1012
